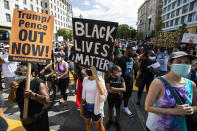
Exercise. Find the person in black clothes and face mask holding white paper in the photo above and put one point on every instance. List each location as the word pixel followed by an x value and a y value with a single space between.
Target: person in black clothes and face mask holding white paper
pixel 146 73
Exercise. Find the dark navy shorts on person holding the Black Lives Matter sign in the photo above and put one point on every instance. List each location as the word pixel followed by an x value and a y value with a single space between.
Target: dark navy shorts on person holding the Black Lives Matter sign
pixel 89 113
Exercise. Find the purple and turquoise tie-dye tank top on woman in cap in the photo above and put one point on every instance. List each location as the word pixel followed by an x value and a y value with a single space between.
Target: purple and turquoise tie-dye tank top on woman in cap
pixel 163 122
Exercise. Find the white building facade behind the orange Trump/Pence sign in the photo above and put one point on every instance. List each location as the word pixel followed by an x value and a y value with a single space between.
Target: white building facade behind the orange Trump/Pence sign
pixel 61 9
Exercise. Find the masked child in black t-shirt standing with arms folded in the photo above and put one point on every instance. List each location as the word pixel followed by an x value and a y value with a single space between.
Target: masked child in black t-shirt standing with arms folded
pixel 116 86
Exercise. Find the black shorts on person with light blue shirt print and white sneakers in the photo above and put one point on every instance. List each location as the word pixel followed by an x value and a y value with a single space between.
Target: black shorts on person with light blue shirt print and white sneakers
pixel 129 87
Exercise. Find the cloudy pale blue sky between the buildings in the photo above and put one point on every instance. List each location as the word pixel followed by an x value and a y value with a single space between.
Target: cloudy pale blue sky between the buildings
pixel 121 11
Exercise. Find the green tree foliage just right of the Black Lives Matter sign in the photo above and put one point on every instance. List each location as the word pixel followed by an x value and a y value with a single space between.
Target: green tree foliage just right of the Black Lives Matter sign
pixel 125 32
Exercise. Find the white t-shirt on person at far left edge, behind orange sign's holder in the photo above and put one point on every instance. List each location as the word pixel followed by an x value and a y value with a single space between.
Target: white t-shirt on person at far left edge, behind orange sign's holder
pixel 9 67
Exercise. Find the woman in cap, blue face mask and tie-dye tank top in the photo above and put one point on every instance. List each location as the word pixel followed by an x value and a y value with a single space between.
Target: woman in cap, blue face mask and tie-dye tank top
pixel 172 97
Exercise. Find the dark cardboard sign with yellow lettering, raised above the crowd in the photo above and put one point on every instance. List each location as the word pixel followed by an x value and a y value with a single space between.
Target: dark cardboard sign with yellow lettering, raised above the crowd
pixel 166 39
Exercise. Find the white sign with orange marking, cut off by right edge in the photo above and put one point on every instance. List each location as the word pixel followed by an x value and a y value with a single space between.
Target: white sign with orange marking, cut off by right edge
pixel 189 38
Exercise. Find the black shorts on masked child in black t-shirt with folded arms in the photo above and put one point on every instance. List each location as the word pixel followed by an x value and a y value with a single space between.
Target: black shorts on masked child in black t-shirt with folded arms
pixel 114 101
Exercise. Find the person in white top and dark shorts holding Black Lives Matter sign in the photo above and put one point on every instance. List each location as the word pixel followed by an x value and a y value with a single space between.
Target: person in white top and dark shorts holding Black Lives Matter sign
pixel 94 95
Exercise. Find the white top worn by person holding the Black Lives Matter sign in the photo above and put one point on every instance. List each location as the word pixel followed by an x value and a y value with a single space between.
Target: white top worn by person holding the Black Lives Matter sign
pixel 90 89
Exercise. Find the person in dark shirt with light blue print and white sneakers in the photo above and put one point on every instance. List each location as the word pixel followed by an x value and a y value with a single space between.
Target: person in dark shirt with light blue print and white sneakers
pixel 126 63
